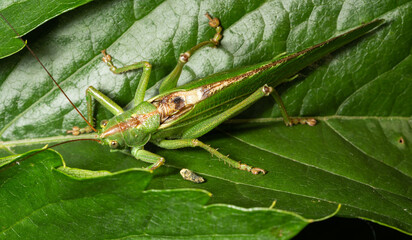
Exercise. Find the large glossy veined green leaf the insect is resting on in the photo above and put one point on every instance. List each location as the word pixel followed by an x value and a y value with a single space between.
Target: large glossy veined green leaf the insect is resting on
pixel 358 155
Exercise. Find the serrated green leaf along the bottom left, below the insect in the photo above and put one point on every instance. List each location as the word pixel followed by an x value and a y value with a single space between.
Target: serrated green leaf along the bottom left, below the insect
pixel 40 199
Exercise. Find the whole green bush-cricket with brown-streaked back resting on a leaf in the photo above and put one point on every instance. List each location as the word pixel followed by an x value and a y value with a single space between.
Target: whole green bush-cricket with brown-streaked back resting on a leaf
pixel 179 115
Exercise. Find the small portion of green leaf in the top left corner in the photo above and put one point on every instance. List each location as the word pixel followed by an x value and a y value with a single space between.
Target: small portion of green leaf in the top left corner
pixel 26 15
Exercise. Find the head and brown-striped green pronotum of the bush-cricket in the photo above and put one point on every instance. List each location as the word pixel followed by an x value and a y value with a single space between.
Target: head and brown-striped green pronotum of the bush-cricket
pixel 131 128
